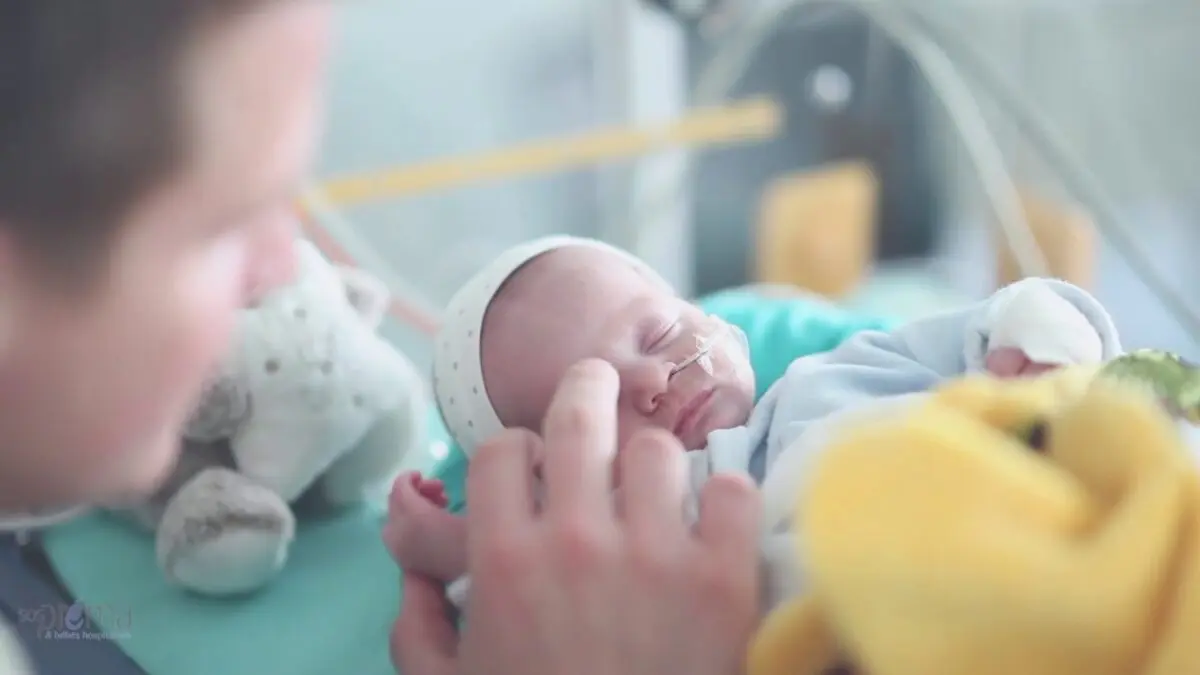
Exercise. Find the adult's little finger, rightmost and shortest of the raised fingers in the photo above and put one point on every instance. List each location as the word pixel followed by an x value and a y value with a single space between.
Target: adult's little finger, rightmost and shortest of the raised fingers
pixel 730 517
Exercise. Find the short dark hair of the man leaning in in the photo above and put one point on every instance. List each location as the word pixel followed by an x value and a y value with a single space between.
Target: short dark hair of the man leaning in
pixel 92 116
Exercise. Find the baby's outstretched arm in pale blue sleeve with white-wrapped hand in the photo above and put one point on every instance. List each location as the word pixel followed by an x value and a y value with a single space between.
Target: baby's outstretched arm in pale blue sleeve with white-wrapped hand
pixel 1047 321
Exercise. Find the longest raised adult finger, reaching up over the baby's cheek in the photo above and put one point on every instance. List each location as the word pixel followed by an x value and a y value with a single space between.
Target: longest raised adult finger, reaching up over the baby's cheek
pixel 580 437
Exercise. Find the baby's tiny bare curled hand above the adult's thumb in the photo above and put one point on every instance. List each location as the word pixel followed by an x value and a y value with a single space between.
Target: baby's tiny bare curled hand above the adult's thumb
pixel 416 510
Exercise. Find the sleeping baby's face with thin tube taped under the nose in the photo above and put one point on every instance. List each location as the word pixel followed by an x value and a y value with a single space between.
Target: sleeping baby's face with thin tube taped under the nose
pixel 579 303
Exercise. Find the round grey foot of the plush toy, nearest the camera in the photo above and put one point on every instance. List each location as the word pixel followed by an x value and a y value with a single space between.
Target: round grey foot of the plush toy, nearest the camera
pixel 225 535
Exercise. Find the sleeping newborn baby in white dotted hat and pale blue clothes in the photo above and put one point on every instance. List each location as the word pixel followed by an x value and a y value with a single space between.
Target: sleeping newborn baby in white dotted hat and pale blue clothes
pixel 513 332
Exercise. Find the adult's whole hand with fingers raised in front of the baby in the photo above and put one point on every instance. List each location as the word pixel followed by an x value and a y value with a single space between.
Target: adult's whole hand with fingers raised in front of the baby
pixel 575 589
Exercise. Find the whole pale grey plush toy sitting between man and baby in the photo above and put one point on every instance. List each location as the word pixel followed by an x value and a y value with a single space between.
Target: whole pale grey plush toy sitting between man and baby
pixel 313 407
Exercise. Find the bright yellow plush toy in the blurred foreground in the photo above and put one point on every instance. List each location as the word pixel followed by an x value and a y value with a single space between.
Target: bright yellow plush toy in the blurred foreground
pixel 1029 528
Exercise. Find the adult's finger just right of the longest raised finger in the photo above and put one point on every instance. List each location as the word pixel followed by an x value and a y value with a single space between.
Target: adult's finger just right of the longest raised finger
pixel 655 483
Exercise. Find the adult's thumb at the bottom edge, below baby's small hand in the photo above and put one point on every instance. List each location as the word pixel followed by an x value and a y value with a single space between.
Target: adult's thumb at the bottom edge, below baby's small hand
pixel 423 641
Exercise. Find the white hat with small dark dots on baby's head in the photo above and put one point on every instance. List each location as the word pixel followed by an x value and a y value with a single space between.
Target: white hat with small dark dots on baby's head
pixel 458 363
